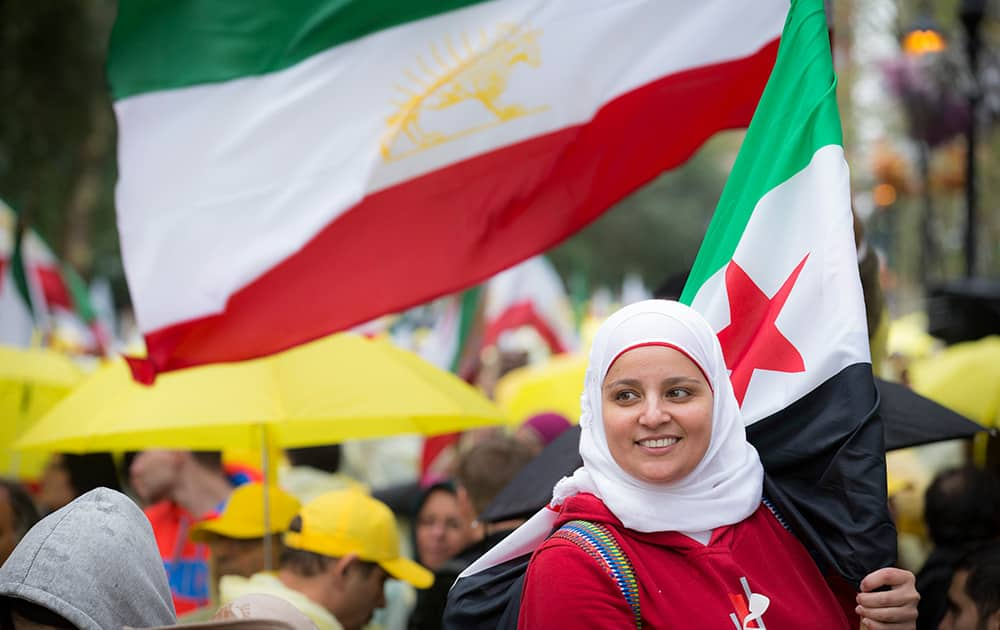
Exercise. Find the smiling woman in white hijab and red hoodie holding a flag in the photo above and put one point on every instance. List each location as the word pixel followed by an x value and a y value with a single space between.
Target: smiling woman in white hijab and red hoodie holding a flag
pixel 664 524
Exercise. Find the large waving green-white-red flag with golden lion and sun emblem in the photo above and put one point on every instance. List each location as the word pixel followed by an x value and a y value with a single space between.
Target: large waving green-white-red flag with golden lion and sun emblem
pixel 290 169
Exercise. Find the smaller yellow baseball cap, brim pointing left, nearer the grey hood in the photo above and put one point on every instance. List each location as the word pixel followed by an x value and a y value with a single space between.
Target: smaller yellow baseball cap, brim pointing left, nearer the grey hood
pixel 243 515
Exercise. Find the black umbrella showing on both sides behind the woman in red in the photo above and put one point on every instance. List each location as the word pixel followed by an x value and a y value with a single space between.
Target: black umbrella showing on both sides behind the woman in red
pixel 908 419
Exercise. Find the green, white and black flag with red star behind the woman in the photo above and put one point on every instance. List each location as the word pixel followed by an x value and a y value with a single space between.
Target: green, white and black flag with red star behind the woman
pixel 777 277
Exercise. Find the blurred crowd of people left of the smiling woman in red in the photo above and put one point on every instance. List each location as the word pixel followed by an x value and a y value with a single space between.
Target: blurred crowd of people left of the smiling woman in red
pixel 200 543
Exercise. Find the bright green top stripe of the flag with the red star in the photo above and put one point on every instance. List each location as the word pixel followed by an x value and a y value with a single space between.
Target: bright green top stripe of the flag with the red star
pixel 796 116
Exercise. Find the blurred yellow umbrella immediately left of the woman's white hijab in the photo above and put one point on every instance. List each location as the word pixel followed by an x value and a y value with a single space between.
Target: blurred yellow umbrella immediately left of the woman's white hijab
pixel 555 385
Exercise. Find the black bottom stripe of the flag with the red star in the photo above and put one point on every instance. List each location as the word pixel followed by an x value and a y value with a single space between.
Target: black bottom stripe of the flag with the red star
pixel 824 458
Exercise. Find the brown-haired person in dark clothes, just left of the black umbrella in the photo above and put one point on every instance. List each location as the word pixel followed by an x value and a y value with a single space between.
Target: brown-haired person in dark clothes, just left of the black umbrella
pixel 481 473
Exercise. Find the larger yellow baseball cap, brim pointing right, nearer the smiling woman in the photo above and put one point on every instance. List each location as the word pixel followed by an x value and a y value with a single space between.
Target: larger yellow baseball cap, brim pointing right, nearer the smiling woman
pixel 349 521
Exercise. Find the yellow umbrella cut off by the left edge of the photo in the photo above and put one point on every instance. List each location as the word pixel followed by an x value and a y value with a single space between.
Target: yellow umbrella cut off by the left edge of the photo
pixel 32 381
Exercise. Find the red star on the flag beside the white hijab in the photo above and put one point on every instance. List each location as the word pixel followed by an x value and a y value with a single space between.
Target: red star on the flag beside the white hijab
pixel 751 341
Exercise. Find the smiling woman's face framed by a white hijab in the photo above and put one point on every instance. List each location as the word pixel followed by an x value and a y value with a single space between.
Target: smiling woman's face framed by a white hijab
pixel 657 409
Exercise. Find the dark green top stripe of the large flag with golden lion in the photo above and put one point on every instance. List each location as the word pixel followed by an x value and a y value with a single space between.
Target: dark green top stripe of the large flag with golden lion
pixel 168 44
